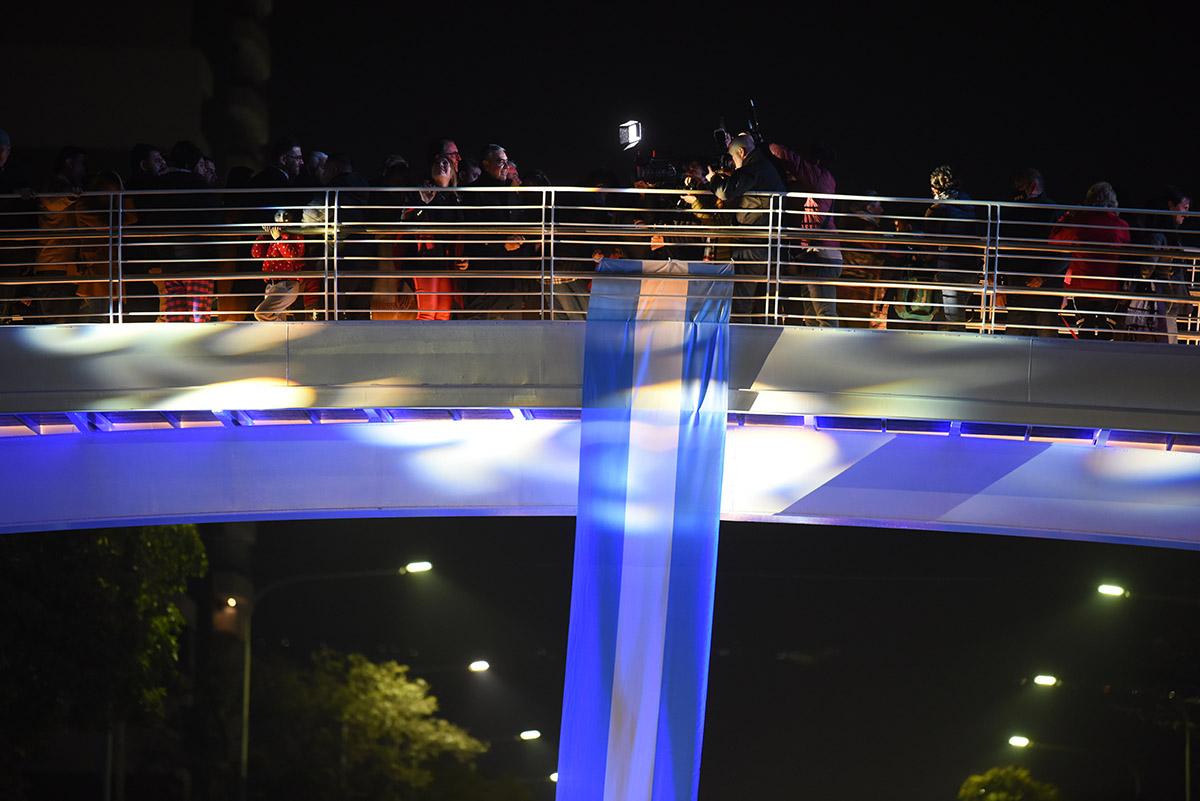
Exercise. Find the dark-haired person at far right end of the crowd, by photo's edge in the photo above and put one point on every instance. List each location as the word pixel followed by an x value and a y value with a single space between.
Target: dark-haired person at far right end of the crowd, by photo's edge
pixel 1162 274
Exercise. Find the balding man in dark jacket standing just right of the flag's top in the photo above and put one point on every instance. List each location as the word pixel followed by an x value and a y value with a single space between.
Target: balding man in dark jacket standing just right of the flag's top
pixel 753 173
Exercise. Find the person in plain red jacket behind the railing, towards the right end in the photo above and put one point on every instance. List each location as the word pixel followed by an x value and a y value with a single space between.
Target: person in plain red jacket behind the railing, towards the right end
pixel 1100 230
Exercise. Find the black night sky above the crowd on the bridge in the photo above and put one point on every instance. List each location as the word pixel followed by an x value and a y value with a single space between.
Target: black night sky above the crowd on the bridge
pixel 896 89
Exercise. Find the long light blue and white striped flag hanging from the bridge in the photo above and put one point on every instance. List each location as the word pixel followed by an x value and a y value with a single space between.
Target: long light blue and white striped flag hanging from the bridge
pixel 656 395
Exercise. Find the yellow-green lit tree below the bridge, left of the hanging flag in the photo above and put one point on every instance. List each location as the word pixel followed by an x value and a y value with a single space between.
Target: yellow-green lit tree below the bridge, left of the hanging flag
pixel 346 727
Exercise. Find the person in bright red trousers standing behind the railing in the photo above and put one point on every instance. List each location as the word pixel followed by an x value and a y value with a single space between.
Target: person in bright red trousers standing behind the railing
pixel 437 250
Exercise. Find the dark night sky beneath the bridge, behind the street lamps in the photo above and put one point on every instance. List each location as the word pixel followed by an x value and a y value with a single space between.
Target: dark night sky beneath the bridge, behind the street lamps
pixel 847 664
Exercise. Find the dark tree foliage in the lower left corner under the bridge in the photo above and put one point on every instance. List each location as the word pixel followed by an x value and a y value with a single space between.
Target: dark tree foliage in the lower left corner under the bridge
pixel 91 631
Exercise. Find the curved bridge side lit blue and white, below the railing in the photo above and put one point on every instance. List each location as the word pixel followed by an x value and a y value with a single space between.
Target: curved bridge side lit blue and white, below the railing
pixel 146 424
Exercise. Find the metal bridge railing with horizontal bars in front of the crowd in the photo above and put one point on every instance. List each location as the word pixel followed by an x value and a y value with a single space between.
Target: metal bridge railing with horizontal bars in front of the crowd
pixel 530 254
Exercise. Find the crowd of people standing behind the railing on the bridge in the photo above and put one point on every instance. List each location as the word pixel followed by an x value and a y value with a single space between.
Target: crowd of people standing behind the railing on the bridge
pixel 260 249
